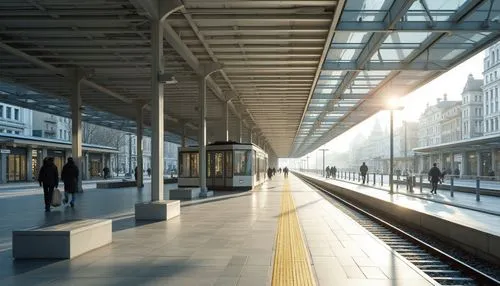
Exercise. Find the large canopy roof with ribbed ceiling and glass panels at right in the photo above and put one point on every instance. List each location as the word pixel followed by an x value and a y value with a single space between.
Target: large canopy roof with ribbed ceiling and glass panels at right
pixel 299 73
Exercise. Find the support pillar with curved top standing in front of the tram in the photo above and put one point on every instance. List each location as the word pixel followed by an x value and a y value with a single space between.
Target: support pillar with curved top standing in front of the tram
pixel 205 70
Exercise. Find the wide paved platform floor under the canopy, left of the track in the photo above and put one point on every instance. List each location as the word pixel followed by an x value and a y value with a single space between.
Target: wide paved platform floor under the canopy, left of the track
pixel 282 233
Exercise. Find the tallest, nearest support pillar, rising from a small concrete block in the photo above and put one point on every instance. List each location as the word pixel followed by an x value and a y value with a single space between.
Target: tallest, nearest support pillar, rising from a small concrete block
pixel 157 97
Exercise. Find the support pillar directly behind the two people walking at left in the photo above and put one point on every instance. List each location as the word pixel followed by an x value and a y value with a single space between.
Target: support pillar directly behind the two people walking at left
pixel 76 127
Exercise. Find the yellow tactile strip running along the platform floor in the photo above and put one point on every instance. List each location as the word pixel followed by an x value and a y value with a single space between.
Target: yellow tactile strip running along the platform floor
pixel 291 263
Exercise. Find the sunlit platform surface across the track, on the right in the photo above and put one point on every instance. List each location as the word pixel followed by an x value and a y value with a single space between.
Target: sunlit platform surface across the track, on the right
pixel 462 208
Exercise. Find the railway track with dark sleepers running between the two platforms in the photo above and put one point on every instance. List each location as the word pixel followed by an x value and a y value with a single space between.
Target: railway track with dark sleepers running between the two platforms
pixel 440 266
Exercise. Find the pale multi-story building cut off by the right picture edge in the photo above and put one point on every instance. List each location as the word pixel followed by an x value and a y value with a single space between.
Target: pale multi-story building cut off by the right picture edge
pixel 490 90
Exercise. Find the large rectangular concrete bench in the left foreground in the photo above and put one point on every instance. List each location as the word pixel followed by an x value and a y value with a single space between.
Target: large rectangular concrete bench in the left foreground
pixel 63 241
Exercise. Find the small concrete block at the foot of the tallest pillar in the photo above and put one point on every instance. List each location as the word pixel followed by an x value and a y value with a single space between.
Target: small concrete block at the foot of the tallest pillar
pixel 159 210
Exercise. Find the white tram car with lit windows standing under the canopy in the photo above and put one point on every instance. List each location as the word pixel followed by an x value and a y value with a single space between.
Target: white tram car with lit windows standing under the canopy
pixel 230 166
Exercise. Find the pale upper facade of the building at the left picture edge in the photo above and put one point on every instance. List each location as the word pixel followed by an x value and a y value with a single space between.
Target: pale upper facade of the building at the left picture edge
pixel 15 120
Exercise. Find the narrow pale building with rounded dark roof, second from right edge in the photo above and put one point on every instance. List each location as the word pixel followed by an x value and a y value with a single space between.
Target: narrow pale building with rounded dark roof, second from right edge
pixel 472 108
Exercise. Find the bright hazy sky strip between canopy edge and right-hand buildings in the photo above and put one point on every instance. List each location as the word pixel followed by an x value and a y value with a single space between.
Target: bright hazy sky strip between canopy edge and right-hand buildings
pixel 451 83
